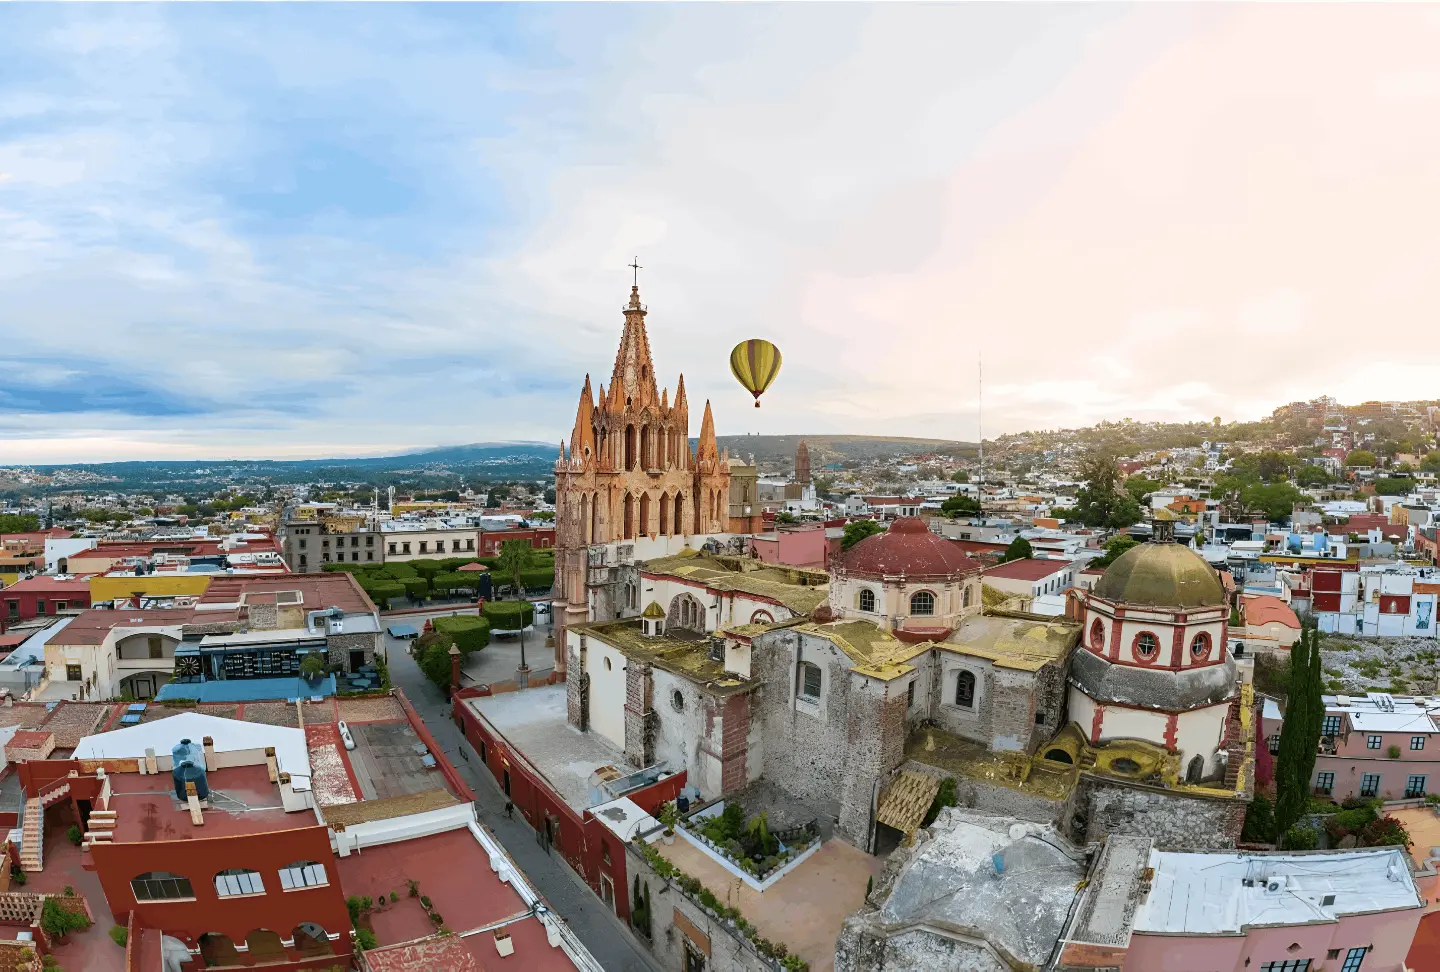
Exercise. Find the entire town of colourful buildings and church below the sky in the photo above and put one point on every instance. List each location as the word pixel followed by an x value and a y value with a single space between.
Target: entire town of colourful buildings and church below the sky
pixel 1130 698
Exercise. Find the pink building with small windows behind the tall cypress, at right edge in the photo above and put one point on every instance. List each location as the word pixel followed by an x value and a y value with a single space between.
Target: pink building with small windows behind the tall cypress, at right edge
pixel 1382 745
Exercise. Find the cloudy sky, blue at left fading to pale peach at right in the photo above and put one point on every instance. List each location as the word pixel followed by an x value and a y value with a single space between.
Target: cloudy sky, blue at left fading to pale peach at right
pixel 325 230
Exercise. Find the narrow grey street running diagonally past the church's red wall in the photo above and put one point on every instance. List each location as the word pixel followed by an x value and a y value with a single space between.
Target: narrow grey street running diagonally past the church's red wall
pixel 597 927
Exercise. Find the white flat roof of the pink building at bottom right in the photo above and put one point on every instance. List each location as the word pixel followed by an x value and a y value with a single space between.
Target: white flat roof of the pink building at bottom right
pixel 1207 894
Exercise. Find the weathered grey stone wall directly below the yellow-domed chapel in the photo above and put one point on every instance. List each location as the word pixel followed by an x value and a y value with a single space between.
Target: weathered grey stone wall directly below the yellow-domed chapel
pixel 1173 820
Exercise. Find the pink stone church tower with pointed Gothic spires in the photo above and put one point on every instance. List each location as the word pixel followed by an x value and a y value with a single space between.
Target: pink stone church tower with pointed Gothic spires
pixel 629 473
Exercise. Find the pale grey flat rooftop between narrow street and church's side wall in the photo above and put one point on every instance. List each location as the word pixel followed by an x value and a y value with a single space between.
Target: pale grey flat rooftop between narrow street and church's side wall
pixel 535 724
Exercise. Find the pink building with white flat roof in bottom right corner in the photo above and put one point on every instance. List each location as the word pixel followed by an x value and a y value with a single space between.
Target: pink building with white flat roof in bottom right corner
pixel 1297 912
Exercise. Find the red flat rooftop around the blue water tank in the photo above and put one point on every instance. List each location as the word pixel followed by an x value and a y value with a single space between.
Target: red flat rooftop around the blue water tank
pixel 243 801
